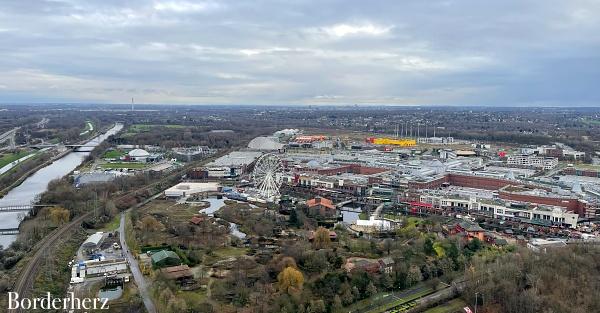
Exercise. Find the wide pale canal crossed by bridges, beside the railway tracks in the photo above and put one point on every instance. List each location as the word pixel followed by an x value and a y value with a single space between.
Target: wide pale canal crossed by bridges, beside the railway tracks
pixel 37 183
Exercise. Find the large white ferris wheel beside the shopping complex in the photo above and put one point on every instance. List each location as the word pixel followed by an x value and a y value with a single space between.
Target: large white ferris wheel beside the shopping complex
pixel 267 175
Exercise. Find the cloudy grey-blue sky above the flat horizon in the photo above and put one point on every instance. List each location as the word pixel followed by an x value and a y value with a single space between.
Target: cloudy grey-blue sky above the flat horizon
pixel 506 52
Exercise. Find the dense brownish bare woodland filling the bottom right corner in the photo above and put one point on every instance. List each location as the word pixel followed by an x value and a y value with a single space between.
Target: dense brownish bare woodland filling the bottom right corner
pixel 560 280
